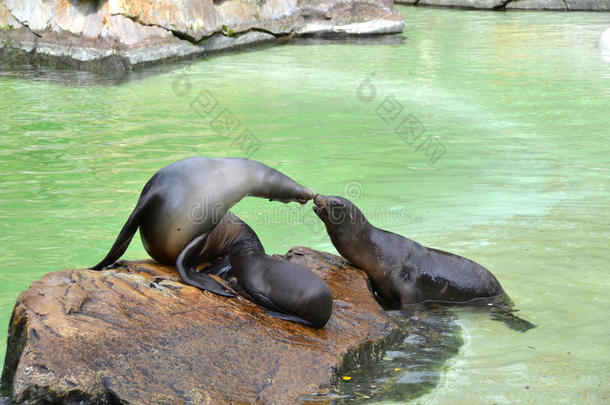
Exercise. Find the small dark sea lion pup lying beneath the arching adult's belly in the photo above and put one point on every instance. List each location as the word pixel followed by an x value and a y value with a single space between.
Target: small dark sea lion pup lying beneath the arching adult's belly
pixel 287 290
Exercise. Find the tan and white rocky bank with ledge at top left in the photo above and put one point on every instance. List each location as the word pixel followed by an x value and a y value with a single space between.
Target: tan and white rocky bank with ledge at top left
pixel 118 35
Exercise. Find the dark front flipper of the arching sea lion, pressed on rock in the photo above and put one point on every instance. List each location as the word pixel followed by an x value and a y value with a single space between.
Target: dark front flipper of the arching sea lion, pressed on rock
pixel 187 267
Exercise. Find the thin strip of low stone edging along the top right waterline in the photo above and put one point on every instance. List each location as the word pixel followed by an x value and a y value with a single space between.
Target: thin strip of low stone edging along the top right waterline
pixel 550 5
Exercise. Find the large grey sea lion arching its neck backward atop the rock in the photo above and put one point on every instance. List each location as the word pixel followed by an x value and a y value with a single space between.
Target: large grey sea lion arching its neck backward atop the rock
pixel 185 200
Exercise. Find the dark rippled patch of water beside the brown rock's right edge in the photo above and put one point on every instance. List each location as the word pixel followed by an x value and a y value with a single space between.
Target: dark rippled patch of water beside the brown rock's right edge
pixel 407 369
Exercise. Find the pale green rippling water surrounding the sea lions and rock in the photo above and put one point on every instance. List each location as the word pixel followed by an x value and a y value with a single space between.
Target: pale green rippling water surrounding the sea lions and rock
pixel 520 102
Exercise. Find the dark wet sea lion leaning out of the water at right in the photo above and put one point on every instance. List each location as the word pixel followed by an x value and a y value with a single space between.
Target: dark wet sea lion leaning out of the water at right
pixel 402 271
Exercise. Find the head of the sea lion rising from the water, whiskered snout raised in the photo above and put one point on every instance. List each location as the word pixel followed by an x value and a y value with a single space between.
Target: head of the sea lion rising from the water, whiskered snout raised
pixel 338 214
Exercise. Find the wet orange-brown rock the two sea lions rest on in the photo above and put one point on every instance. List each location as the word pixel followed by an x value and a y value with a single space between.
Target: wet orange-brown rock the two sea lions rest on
pixel 137 334
